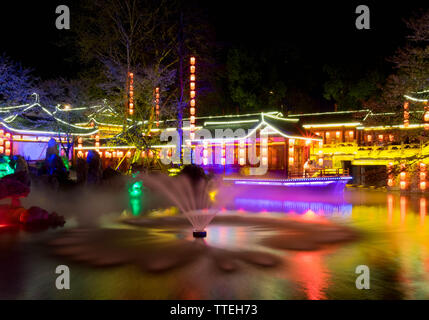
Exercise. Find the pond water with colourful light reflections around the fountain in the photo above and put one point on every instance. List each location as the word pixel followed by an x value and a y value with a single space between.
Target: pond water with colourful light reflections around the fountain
pixel 241 258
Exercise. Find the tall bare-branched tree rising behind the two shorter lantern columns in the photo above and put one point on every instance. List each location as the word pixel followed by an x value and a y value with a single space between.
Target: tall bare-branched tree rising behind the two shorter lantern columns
pixel 148 38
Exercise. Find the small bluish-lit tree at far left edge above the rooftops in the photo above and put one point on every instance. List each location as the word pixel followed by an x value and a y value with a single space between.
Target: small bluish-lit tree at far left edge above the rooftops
pixel 16 82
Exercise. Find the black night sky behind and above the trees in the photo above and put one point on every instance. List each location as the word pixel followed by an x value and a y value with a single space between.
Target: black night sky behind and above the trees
pixel 321 31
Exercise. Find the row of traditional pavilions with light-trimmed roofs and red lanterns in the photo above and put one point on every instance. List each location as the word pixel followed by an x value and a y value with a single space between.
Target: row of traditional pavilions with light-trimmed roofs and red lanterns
pixel 390 145
